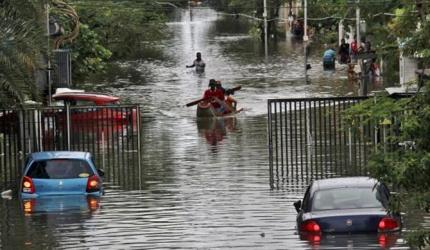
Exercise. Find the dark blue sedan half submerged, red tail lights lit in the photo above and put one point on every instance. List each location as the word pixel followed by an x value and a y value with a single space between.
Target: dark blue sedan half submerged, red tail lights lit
pixel 345 205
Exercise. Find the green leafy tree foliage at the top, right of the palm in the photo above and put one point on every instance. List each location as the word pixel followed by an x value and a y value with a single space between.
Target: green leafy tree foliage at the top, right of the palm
pixel 124 27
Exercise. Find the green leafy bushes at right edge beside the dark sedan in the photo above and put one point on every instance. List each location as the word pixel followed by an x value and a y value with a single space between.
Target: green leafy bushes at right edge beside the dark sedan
pixel 405 161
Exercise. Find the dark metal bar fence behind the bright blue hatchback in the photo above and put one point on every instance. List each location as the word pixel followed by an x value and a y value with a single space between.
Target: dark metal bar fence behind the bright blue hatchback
pixel 110 133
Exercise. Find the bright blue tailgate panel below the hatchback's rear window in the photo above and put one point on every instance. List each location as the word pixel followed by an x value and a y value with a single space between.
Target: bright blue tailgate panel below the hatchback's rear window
pixel 60 186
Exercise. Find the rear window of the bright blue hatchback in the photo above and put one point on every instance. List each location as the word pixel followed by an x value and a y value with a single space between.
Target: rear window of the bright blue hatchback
pixel 60 169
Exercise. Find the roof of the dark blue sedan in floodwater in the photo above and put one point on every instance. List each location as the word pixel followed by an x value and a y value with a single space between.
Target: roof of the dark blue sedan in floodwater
pixel 341 182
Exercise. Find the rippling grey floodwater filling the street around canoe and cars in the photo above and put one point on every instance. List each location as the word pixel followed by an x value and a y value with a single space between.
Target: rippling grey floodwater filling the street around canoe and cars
pixel 203 184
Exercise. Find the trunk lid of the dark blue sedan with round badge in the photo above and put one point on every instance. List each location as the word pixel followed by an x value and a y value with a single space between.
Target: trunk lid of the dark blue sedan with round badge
pixel 349 220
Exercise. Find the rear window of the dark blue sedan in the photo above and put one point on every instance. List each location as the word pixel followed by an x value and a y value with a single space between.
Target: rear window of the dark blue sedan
pixel 347 198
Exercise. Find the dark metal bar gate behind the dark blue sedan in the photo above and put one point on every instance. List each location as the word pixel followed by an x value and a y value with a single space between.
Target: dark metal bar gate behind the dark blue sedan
pixel 308 138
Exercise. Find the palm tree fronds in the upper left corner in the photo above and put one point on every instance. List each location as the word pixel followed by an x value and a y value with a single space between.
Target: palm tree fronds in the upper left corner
pixel 20 51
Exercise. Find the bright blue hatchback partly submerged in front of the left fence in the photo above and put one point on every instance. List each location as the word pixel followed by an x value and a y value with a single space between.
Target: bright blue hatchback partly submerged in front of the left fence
pixel 60 173
